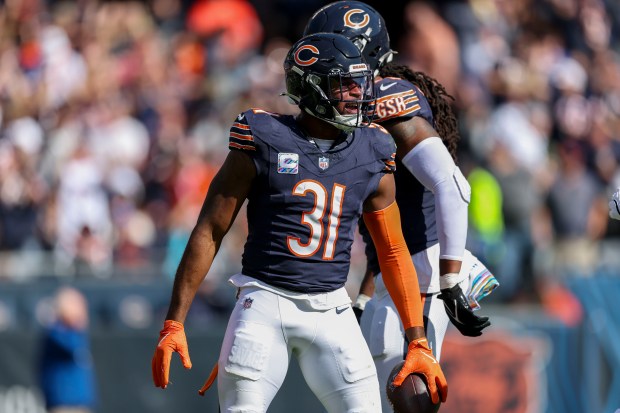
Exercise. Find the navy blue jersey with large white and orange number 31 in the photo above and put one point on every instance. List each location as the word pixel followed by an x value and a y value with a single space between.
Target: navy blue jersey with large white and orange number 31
pixel 305 204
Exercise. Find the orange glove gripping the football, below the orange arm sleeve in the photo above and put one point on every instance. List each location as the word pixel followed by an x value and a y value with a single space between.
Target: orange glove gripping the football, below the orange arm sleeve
pixel 420 360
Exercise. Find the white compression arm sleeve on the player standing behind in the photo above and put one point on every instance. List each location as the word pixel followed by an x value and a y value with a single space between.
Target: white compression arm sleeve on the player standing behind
pixel 432 165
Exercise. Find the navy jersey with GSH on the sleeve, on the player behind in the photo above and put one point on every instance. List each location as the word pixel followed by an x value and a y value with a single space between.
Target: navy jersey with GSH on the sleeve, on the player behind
pixel 400 99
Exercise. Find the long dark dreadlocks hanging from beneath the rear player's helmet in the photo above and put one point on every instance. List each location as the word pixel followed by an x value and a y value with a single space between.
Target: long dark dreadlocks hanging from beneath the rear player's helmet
pixel 435 93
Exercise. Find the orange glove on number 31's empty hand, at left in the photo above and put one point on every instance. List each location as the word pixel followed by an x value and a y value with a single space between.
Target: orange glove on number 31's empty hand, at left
pixel 171 339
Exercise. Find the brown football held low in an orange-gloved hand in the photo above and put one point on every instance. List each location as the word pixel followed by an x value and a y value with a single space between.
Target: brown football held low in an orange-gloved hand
pixel 412 396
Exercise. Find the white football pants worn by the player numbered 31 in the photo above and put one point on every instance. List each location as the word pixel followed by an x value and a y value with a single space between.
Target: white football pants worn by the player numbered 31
pixel 265 328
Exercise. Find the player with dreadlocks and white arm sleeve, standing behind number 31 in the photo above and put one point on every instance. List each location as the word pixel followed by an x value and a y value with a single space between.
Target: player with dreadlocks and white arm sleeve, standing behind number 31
pixel 432 194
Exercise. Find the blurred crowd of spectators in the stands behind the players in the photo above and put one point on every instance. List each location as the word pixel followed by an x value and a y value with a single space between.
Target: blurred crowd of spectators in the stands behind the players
pixel 114 118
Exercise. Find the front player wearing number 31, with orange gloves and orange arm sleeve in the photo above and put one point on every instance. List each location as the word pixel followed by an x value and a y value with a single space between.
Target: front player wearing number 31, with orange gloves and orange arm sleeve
pixel 307 179
